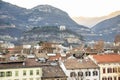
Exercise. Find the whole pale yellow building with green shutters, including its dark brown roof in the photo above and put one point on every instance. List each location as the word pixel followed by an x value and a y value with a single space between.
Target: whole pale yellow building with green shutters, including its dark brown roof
pixel 17 68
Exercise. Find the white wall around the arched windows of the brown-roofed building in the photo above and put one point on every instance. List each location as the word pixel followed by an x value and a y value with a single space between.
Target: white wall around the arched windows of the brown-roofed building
pixel 67 72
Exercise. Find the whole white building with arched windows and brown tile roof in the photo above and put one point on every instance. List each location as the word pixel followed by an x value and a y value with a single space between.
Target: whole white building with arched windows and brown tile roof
pixel 80 69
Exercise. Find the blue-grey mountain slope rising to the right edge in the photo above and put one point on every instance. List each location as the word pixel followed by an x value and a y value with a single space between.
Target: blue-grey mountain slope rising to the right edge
pixel 107 29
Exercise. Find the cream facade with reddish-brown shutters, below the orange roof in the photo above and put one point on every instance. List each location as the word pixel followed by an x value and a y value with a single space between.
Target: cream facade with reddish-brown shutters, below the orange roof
pixel 109 71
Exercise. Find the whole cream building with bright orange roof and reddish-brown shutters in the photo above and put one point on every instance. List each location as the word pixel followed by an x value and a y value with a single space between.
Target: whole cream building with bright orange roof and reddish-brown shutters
pixel 109 66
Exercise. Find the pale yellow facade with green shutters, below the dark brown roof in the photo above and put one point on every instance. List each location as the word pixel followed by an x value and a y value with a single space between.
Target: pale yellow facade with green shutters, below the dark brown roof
pixel 29 73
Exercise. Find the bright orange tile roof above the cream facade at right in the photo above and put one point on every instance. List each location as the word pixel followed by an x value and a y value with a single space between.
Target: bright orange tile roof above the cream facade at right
pixel 107 58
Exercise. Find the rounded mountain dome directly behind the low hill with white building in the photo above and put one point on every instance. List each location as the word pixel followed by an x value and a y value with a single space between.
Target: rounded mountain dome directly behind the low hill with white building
pixel 46 15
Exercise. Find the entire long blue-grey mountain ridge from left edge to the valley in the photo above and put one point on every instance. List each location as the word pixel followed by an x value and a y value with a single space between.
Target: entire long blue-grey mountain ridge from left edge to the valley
pixel 18 20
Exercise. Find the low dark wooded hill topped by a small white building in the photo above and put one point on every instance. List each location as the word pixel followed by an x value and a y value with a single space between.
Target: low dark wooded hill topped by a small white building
pixel 51 33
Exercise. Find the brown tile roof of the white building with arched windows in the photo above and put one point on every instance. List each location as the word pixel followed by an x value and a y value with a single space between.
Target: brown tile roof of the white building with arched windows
pixel 79 64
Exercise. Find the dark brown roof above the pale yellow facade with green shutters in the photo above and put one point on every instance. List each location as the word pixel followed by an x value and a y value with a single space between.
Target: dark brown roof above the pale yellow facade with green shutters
pixel 22 64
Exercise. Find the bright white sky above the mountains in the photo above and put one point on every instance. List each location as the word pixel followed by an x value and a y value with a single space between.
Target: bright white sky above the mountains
pixel 75 8
